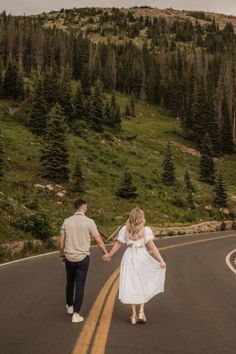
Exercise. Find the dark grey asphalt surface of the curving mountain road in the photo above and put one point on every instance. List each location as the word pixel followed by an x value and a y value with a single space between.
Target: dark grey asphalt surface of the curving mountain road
pixel 195 315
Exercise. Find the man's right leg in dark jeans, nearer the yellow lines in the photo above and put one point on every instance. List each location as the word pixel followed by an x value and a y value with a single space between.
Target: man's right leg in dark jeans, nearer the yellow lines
pixel 81 275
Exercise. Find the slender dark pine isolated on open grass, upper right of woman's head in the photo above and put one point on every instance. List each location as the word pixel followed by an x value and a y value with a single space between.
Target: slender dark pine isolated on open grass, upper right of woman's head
pixel 168 175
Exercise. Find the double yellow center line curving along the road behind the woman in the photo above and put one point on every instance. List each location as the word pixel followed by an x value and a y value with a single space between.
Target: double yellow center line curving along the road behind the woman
pixel 93 336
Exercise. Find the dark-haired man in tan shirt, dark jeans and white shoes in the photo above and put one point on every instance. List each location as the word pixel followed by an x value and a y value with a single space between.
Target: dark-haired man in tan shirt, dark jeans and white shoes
pixel 76 234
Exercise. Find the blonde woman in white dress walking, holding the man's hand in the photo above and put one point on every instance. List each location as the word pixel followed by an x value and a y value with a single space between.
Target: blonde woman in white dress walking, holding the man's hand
pixel 141 275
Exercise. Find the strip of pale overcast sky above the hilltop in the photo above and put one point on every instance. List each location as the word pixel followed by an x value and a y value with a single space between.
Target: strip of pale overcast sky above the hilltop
pixel 19 7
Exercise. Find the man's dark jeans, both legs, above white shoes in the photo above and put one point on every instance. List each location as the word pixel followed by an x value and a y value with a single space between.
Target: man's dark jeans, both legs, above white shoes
pixel 76 273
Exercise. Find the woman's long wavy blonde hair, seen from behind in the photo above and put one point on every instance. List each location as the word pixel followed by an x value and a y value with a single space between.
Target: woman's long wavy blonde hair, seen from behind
pixel 135 224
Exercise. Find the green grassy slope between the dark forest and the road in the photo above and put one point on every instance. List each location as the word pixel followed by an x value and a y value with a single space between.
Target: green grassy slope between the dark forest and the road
pixel 104 158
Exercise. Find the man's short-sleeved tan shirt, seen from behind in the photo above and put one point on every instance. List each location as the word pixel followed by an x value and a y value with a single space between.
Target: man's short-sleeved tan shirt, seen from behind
pixel 78 230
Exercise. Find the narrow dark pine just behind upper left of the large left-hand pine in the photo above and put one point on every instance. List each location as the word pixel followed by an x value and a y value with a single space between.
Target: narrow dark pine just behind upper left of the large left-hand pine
pixel 39 110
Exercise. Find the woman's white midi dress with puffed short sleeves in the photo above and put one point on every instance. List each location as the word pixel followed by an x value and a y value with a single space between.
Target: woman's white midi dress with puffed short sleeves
pixel 141 276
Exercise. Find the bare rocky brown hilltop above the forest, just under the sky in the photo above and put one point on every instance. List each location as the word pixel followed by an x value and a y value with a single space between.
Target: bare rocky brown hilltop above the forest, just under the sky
pixel 99 23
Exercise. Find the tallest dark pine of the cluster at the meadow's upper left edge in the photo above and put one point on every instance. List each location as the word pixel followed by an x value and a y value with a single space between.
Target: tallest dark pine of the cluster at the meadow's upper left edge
pixel 97 106
